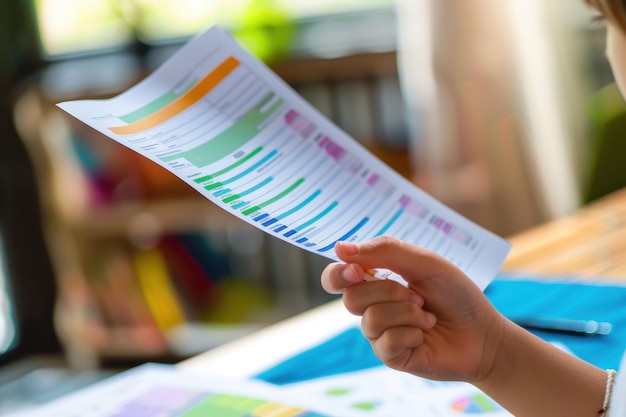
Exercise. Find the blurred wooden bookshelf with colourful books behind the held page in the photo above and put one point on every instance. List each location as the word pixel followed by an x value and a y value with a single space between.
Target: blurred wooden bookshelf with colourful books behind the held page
pixel 146 268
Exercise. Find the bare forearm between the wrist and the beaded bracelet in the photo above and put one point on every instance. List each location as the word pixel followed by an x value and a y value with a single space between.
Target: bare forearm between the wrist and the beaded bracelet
pixel 533 378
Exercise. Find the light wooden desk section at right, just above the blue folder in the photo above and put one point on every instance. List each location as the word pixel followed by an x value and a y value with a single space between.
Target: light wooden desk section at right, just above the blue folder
pixel 590 243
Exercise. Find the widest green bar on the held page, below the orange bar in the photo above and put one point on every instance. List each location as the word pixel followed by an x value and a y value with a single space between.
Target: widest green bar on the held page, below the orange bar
pixel 237 135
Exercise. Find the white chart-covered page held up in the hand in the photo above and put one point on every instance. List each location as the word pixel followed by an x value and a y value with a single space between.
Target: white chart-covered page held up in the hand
pixel 224 123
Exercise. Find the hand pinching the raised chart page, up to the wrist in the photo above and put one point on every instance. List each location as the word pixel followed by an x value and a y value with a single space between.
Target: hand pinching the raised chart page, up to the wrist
pixel 439 327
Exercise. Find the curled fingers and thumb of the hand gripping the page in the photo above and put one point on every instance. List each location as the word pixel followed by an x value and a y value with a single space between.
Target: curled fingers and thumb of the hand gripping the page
pixel 392 316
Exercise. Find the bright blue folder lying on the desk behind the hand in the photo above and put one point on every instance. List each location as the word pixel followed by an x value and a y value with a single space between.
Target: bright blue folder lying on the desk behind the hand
pixel 513 296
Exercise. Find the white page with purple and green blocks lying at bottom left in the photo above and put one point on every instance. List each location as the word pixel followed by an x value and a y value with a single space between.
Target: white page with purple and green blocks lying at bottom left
pixel 162 390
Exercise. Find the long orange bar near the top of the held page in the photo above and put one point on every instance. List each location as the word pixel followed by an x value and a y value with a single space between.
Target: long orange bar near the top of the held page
pixel 181 104
